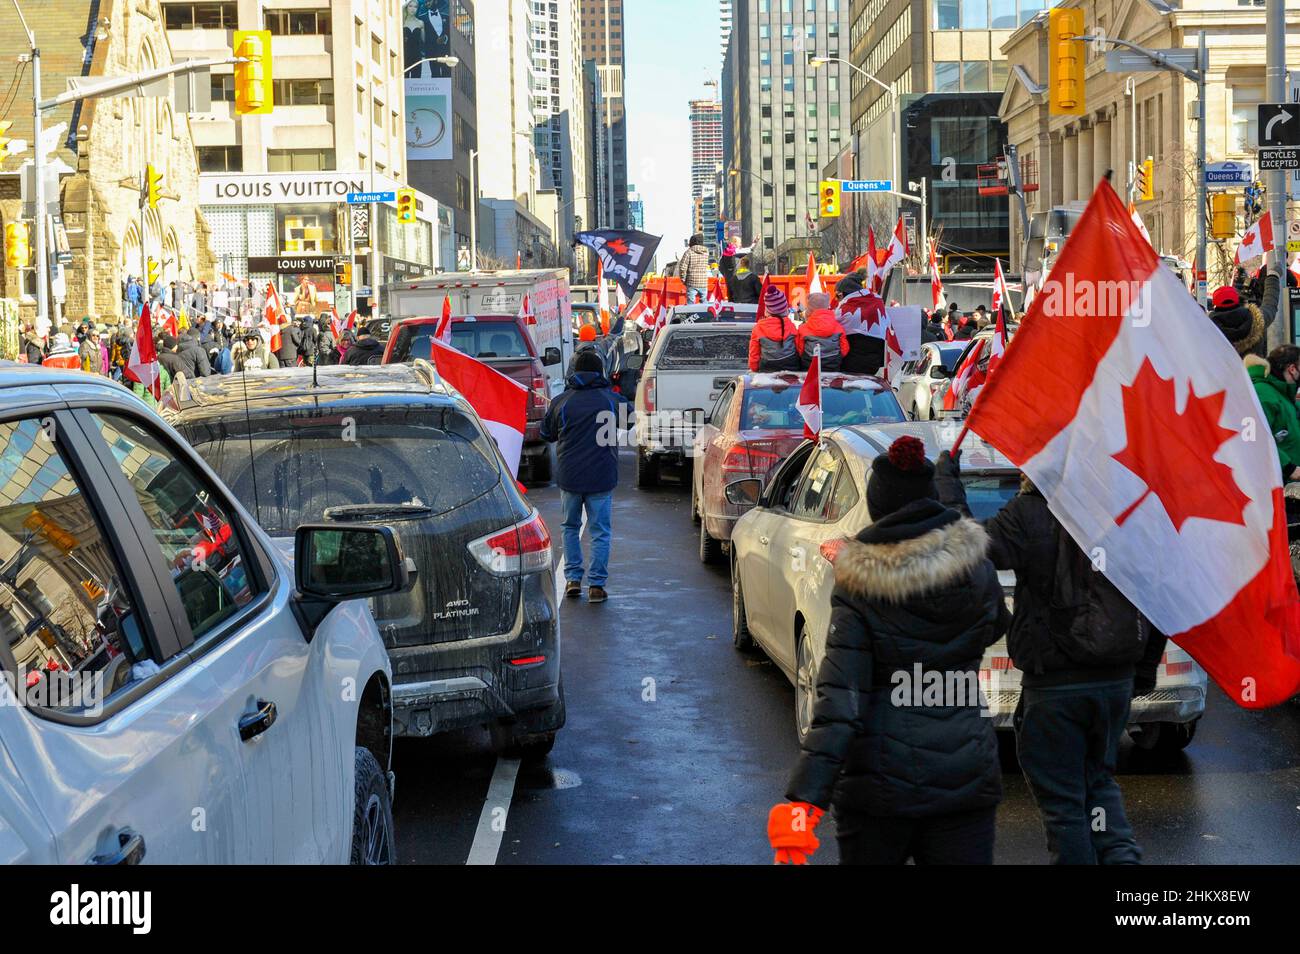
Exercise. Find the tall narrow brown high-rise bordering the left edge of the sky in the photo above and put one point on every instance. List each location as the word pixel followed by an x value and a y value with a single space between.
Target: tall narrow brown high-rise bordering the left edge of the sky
pixel 603 45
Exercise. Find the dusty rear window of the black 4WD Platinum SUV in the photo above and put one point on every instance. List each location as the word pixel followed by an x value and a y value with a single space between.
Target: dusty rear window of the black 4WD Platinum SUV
pixel 414 459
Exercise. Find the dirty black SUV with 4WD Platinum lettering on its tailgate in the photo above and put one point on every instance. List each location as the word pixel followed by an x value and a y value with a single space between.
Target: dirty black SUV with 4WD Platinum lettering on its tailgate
pixel 478 640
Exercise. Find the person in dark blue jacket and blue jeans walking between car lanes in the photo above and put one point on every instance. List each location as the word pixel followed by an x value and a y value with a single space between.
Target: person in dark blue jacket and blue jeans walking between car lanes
pixel 584 423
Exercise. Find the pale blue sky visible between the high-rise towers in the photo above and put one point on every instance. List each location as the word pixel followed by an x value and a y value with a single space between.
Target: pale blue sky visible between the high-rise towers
pixel 673 49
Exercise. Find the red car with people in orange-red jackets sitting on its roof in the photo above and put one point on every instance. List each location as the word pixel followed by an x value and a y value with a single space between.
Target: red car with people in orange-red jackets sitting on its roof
pixel 755 426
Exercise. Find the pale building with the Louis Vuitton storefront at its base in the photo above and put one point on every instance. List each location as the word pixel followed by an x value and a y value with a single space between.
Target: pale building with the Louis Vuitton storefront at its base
pixel 274 187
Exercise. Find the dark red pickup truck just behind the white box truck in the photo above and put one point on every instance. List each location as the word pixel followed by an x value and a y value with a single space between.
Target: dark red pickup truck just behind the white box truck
pixel 505 344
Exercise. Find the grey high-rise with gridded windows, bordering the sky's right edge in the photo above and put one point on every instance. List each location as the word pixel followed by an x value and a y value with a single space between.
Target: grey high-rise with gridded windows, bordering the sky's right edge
pixel 790 119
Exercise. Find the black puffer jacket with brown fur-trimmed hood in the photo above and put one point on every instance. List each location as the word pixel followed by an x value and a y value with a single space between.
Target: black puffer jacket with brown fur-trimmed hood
pixel 915 589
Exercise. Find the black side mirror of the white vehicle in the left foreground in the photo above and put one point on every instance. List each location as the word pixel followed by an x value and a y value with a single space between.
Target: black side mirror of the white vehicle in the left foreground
pixel 336 563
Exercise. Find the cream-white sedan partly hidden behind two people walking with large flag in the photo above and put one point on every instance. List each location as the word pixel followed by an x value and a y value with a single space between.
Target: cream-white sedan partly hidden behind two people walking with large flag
pixel 782 571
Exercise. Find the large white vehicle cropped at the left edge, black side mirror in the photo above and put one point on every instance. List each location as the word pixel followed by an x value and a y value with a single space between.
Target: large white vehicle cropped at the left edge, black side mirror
pixel 174 691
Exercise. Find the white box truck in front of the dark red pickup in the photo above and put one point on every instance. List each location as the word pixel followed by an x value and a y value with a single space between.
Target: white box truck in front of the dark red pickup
pixel 484 294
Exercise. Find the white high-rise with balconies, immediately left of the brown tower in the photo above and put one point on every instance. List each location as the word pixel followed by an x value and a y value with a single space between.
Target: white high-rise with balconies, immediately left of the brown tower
pixel 560 114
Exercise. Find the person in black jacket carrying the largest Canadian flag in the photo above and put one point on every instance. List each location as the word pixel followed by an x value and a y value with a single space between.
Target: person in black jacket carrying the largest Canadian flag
pixel 1085 653
